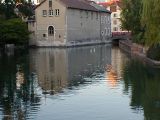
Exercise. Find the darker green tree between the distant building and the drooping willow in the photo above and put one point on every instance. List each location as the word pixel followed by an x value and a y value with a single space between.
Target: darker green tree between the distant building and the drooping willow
pixel 131 19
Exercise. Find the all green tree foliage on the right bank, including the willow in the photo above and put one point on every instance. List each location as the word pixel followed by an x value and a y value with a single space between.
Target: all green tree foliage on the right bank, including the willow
pixel 142 18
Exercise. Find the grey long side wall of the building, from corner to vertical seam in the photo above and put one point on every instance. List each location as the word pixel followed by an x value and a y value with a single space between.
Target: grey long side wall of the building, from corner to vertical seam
pixel 82 26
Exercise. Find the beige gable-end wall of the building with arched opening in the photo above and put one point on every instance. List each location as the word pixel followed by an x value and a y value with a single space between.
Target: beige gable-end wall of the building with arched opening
pixel 42 24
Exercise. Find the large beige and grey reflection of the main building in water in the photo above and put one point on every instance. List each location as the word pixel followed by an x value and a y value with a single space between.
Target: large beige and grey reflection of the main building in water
pixel 57 69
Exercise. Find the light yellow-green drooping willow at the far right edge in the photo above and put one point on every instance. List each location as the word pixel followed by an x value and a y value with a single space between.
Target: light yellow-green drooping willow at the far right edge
pixel 151 21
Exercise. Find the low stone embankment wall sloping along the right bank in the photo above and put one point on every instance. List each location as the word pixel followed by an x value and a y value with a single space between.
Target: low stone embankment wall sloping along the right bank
pixel 137 51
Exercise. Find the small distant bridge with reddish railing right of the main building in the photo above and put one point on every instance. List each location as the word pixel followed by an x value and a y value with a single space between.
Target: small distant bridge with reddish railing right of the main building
pixel 116 36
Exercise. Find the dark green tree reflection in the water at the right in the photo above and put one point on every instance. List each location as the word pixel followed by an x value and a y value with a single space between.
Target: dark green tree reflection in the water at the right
pixel 144 84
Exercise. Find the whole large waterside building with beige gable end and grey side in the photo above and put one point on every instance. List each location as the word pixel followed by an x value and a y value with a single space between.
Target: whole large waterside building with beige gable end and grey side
pixel 69 23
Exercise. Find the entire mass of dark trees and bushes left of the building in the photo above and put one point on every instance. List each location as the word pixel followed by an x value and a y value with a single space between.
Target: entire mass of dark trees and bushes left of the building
pixel 12 28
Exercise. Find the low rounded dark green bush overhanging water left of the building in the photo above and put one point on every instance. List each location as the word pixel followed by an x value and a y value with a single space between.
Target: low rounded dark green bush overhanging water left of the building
pixel 14 32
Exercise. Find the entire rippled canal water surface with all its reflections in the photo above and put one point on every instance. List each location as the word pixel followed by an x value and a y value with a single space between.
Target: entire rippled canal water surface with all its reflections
pixel 84 83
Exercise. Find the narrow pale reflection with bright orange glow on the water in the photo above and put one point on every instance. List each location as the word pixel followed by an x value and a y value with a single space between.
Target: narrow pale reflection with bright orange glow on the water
pixel 115 69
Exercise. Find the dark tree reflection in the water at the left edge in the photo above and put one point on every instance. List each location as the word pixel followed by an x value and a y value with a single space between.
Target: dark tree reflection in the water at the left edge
pixel 18 97
